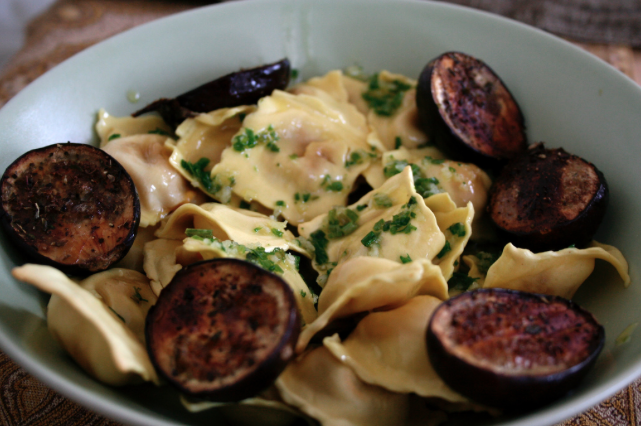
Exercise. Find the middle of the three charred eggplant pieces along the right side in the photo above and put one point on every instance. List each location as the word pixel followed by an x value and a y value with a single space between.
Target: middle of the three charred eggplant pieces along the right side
pixel 547 199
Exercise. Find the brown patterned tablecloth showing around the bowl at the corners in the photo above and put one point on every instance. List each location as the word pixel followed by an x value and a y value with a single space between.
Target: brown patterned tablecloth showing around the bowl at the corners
pixel 69 27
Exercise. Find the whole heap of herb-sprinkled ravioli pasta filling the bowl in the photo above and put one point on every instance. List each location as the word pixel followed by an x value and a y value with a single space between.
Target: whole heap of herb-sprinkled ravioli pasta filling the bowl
pixel 383 216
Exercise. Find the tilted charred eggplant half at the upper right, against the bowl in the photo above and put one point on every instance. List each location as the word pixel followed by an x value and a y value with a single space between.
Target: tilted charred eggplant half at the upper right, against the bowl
pixel 467 111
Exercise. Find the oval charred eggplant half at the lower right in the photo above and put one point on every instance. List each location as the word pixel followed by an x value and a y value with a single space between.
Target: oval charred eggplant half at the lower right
pixel 512 350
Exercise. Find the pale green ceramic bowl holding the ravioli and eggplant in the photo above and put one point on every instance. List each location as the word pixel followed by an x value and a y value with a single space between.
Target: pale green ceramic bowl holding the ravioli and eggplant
pixel 569 99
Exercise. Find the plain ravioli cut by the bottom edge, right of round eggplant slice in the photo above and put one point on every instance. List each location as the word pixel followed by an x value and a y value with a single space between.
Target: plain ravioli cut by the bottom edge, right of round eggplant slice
pixel 325 389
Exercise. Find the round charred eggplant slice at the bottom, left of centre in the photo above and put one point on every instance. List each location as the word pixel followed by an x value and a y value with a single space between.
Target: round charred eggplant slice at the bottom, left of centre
pixel 223 329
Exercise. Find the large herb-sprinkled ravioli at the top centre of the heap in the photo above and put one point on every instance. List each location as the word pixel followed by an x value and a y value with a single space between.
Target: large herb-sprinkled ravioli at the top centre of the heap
pixel 294 151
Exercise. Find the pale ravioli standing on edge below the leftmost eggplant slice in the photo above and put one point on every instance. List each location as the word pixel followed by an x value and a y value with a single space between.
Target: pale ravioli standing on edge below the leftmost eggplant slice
pixel 93 334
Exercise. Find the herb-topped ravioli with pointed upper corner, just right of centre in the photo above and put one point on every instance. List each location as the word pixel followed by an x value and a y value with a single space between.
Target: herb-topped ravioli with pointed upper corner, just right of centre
pixel 395 223
